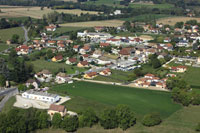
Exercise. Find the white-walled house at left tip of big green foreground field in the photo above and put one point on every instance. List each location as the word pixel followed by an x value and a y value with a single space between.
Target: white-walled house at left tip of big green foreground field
pixel 62 78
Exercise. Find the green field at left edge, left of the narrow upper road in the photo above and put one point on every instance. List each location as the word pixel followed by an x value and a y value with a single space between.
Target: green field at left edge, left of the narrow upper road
pixel 6 34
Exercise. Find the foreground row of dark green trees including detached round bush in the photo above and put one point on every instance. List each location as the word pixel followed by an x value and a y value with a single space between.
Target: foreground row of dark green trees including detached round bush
pixel 25 121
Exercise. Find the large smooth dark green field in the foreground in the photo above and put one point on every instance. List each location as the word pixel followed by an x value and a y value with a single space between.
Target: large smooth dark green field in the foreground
pixel 141 101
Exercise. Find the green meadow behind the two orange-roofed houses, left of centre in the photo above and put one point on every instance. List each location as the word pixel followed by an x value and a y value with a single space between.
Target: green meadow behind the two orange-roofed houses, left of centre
pixel 54 66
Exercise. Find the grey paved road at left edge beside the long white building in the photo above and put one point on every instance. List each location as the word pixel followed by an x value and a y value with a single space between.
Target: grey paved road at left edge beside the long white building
pixel 8 94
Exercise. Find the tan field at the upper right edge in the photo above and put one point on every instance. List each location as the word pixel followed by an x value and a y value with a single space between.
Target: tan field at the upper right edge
pixel 174 20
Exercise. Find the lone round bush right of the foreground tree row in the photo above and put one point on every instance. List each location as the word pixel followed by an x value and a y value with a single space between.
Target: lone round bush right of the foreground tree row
pixel 151 119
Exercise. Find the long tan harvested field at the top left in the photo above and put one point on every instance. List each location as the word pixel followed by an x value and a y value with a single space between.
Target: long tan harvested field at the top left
pixel 36 12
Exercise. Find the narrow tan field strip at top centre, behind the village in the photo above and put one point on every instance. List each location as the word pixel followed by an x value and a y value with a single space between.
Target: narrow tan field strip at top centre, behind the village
pixel 108 23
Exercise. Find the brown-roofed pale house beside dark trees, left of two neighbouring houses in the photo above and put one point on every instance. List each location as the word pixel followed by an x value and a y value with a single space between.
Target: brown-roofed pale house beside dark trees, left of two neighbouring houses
pixel 43 76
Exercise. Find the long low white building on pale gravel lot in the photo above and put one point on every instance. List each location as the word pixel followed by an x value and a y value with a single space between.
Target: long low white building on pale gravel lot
pixel 41 96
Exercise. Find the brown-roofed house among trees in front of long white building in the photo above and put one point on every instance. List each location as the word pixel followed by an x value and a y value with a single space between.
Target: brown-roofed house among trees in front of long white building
pixel 57 109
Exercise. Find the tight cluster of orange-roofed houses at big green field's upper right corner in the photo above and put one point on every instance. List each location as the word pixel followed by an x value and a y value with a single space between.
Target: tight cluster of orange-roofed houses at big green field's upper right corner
pixel 150 80
